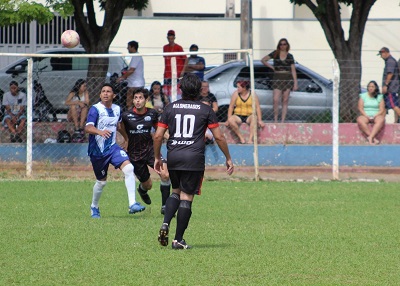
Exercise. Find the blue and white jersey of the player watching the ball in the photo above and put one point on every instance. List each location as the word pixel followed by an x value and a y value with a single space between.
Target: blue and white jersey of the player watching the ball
pixel 103 119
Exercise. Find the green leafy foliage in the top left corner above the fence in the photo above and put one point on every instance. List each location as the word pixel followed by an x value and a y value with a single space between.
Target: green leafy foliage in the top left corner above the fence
pixel 12 12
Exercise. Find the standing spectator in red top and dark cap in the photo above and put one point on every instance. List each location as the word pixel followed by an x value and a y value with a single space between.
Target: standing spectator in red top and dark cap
pixel 172 47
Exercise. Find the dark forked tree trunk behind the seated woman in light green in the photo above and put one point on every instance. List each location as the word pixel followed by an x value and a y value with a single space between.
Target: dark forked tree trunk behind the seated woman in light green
pixel 347 52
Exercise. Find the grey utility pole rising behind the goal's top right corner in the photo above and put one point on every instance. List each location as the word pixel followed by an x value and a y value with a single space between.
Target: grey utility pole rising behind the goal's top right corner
pixel 246 26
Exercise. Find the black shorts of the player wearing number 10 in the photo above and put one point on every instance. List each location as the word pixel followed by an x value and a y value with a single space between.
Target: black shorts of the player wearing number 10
pixel 188 182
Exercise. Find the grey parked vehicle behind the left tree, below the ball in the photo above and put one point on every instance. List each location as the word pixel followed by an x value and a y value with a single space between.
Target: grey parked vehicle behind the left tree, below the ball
pixel 56 75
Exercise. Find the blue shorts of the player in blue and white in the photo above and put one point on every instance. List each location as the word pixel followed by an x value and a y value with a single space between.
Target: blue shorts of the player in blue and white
pixel 115 157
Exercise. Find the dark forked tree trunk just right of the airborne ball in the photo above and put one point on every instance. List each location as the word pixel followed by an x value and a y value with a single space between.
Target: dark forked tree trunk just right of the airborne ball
pixel 97 39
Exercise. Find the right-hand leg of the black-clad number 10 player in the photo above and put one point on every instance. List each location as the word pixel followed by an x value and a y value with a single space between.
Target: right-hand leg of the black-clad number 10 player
pixel 189 185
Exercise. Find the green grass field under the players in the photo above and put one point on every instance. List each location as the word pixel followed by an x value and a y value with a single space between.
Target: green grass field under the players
pixel 242 233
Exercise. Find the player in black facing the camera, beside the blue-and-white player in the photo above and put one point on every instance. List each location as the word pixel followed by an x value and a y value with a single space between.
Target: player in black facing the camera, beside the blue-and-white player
pixel 138 124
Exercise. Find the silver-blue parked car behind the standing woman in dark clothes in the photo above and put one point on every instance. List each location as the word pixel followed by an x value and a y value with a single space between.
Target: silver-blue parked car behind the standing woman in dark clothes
pixel 312 99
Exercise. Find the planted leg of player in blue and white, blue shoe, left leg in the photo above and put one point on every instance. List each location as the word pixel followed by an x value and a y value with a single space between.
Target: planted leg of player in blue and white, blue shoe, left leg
pixel 100 169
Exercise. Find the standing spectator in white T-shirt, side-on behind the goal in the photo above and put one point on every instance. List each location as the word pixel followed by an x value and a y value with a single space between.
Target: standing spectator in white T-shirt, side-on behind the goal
pixel 134 75
